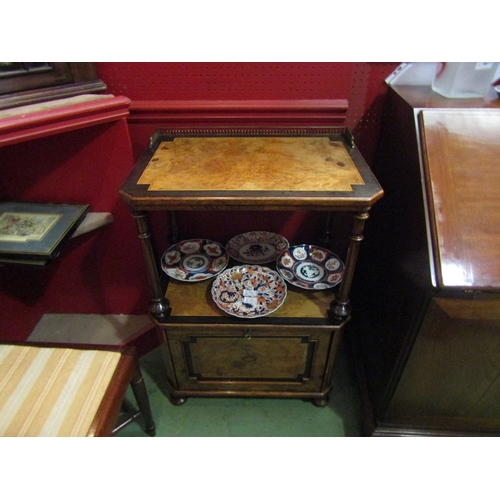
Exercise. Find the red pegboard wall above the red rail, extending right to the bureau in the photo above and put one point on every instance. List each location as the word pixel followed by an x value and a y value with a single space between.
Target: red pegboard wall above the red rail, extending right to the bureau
pixel 361 83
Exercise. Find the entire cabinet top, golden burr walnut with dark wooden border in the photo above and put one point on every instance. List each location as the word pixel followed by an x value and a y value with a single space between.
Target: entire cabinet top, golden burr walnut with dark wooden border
pixel 226 169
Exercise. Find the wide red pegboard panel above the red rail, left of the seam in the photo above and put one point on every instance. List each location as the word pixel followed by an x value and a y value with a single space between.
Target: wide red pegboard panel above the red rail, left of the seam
pixel 227 81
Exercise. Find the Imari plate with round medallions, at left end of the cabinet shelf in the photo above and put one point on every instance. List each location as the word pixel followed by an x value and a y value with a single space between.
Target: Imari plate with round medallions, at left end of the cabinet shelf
pixel 194 260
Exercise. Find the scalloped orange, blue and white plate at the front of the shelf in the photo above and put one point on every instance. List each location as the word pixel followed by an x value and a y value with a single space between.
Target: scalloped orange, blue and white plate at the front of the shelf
pixel 249 291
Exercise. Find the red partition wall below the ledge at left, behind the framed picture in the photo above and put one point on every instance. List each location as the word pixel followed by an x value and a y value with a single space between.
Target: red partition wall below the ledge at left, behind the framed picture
pixel 100 272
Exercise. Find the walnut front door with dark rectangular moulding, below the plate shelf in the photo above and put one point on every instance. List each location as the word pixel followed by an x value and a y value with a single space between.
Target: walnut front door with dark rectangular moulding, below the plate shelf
pixel 247 359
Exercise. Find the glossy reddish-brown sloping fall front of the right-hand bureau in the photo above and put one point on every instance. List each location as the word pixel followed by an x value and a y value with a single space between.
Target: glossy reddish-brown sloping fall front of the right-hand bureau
pixel 461 159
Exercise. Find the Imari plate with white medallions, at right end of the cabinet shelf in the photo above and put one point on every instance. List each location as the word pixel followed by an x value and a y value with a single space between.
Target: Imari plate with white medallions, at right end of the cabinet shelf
pixel 310 267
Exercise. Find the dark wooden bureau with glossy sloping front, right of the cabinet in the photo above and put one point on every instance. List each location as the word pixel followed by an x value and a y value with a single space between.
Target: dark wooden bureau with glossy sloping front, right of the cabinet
pixel 427 338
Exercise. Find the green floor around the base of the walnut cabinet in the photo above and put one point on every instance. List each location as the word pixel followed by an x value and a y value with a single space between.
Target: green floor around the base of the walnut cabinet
pixel 240 417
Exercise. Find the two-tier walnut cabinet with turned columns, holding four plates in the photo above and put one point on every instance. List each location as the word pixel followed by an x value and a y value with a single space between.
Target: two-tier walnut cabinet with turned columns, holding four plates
pixel 291 352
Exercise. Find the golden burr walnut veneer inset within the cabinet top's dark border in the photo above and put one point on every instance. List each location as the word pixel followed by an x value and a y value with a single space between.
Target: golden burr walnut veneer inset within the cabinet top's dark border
pixel 251 163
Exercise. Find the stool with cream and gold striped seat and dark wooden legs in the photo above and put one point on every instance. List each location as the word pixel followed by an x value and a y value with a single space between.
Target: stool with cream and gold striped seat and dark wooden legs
pixel 54 390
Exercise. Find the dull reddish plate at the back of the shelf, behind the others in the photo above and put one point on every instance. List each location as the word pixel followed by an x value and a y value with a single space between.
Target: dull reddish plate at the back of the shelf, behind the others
pixel 256 247
